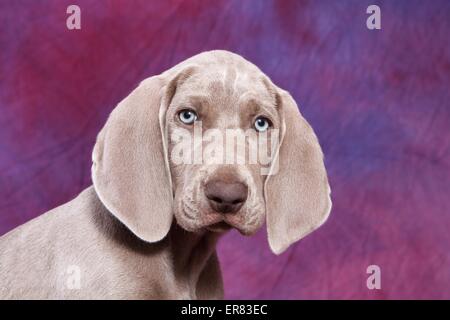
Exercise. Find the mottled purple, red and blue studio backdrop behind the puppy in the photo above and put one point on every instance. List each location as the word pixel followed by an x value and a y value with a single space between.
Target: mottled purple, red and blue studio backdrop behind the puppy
pixel 378 101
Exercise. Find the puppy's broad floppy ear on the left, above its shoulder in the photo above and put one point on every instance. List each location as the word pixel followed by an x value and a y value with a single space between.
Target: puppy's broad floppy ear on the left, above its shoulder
pixel 130 170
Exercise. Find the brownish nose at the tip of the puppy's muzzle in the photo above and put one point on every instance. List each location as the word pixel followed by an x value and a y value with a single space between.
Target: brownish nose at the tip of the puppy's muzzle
pixel 226 197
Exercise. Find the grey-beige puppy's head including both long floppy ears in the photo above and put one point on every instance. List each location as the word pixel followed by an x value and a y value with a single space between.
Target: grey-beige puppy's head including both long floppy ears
pixel 215 143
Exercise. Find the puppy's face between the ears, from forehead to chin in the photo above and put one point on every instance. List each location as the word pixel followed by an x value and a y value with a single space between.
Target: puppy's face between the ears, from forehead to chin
pixel 220 118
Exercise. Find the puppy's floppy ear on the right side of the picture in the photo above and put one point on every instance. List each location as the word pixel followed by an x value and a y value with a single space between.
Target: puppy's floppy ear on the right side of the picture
pixel 297 195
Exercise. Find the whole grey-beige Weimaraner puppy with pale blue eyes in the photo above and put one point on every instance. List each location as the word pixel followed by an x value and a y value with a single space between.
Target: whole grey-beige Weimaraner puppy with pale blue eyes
pixel 148 227
